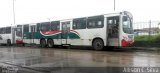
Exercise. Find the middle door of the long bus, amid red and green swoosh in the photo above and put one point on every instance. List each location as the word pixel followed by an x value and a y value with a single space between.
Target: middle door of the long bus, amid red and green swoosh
pixel 65 31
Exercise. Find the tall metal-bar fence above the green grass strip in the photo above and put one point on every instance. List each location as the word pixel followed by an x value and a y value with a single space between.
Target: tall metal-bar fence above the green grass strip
pixel 146 28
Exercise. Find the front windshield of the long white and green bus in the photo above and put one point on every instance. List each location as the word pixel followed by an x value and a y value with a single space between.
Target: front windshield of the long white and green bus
pixel 127 25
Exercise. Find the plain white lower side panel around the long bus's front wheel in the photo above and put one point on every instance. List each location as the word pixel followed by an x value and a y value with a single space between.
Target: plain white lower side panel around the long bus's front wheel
pixel 87 36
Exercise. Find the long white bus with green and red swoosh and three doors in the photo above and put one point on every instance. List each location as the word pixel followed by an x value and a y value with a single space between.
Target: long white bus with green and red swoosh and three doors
pixel 114 29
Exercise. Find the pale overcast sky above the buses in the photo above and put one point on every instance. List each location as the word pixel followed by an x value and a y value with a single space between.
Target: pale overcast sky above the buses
pixel 31 11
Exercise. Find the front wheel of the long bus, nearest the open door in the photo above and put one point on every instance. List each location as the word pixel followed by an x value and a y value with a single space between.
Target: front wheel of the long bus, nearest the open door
pixel 98 44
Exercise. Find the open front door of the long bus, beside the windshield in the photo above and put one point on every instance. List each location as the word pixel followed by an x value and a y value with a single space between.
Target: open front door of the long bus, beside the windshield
pixel 113 31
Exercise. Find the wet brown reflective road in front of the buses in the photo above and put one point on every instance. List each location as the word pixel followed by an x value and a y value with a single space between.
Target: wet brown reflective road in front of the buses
pixel 53 60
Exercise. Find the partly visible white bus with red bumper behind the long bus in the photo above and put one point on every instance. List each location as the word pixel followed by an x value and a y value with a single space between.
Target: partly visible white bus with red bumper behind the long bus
pixel 11 35
